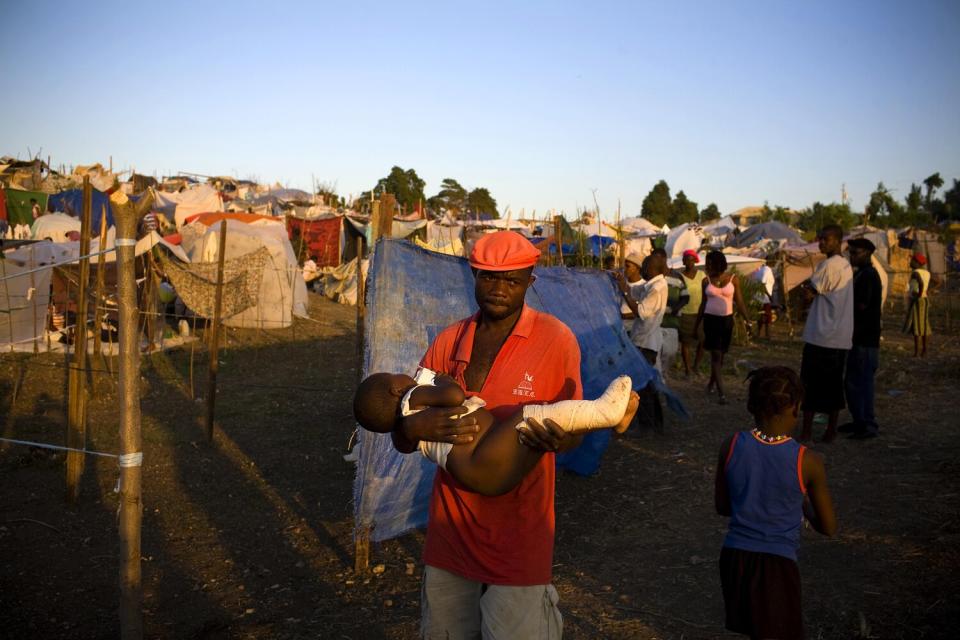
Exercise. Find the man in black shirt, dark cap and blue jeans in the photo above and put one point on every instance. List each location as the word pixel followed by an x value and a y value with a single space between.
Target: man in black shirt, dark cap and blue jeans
pixel 863 358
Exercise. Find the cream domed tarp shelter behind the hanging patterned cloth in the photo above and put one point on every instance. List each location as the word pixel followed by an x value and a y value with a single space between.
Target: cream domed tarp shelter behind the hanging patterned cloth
pixel 282 291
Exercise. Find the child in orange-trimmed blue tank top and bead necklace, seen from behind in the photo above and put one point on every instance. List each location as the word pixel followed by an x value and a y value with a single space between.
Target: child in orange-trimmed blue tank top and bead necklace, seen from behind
pixel 767 483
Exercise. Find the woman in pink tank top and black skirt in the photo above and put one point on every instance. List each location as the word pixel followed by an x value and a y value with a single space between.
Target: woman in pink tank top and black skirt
pixel 720 291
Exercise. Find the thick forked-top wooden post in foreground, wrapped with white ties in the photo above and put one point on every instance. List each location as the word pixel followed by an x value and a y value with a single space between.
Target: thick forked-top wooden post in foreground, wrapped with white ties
pixel 131 504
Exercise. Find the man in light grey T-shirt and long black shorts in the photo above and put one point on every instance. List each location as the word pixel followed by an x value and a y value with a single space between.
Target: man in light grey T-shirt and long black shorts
pixel 827 334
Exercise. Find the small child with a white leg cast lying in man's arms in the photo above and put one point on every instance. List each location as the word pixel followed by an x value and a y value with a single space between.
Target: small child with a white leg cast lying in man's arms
pixel 495 461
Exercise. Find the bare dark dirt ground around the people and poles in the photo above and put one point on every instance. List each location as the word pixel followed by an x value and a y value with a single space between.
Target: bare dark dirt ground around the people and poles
pixel 251 537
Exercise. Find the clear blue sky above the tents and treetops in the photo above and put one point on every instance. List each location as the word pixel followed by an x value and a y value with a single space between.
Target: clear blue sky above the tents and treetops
pixel 734 102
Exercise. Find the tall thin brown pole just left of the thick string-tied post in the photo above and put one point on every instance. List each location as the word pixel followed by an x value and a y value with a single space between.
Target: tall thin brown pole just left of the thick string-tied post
pixel 77 377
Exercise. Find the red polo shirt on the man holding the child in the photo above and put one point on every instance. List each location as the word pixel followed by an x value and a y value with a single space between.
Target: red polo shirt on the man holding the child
pixel 508 539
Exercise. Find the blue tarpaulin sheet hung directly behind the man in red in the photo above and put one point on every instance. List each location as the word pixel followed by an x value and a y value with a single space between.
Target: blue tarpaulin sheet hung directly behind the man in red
pixel 412 295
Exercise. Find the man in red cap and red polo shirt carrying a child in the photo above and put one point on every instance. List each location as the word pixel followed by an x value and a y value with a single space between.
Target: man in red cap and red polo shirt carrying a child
pixel 488 559
